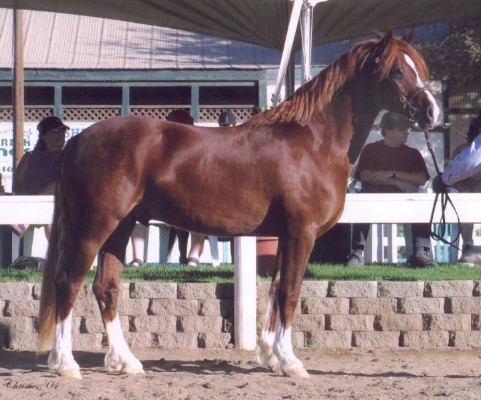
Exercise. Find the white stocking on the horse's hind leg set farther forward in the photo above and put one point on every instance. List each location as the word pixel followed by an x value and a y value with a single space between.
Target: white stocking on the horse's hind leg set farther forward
pixel 119 359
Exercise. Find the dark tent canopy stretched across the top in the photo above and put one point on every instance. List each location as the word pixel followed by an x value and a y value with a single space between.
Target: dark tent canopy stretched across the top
pixel 264 22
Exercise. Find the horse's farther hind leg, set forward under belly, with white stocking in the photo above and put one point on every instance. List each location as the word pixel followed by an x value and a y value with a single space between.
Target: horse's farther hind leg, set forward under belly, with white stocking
pixel 119 358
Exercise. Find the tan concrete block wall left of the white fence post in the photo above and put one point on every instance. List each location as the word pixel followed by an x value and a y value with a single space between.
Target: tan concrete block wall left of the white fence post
pixel 152 314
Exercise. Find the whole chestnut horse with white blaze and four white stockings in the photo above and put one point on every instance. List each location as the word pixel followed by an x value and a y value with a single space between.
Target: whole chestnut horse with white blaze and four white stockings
pixel 282 173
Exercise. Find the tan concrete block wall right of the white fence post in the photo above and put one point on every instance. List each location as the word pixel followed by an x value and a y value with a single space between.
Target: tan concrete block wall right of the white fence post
pixel 345 314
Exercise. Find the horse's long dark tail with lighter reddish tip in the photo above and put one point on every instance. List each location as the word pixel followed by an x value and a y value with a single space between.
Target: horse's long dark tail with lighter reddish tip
pixel 47 317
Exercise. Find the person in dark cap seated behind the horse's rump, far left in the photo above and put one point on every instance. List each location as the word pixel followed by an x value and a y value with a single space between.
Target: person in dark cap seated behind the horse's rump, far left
pixel 36 173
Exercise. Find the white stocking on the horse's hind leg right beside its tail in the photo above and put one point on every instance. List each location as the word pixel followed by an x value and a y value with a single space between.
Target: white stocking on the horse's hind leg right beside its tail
pixel 60 359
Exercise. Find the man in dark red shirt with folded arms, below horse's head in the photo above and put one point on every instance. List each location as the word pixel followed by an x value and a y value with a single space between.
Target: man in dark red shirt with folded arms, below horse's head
pixel 390 166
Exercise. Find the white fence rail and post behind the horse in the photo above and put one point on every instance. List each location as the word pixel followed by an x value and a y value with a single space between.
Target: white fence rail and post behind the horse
pixel 359 208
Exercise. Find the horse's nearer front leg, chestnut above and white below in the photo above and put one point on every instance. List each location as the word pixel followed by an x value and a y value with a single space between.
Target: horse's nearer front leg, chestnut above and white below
pixel 294 263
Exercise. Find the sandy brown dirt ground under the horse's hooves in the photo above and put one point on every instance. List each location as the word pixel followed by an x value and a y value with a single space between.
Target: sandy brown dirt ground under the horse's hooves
pixel 234 374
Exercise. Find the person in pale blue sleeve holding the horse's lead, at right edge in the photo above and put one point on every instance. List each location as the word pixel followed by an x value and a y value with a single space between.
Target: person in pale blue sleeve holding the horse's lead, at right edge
pixel 464 174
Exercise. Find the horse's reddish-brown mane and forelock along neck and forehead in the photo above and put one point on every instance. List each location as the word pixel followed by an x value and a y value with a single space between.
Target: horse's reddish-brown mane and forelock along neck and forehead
pixel 312 97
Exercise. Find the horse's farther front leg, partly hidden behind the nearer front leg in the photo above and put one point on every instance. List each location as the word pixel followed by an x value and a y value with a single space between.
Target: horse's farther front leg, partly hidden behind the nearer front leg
pixel 265 349
